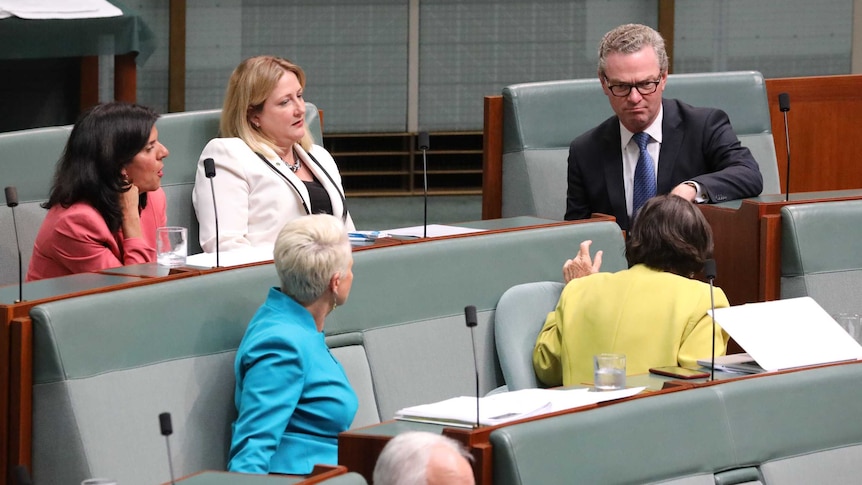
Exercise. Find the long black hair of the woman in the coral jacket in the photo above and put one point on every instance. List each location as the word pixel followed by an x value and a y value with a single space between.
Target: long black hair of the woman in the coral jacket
pixel 103 141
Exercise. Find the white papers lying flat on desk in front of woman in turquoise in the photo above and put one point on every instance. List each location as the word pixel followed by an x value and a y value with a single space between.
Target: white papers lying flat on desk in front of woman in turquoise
pixel 507 406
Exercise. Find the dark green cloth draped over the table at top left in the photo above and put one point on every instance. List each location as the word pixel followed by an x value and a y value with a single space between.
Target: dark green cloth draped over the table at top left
pixel 50 38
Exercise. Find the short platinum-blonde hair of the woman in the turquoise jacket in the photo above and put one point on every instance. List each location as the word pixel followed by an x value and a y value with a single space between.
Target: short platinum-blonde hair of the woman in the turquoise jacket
pixel 308 251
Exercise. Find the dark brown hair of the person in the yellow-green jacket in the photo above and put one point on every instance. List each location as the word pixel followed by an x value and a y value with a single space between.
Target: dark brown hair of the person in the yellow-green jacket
pixel 670 234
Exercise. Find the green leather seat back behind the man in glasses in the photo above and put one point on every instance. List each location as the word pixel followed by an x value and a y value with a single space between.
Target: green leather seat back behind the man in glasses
pixel 541 119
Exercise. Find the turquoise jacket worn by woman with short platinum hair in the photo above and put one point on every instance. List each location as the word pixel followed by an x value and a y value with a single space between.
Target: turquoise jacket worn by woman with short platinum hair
pixel 292 396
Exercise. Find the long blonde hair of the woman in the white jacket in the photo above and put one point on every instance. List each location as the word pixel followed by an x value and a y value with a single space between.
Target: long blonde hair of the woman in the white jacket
pixel 250 84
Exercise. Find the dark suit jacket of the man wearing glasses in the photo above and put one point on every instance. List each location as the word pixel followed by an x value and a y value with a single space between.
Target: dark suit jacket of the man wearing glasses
pixel 698 144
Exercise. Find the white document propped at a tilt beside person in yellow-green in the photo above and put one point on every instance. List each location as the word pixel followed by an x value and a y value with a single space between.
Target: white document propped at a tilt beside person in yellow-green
pixel 784 334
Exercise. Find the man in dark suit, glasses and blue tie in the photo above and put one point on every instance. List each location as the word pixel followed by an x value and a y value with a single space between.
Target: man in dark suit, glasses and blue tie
pixel 652 146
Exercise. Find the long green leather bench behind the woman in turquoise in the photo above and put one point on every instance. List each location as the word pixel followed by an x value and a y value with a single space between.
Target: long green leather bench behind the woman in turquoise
pixel 106 365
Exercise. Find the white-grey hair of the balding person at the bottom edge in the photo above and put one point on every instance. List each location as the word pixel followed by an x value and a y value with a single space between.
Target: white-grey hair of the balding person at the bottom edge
pixel 404 460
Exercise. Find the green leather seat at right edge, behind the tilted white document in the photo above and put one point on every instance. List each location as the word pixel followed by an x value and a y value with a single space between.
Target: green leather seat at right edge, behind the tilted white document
pixel 820 254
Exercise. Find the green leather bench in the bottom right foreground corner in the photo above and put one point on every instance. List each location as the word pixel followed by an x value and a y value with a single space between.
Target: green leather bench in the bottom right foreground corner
pixel 794 428
